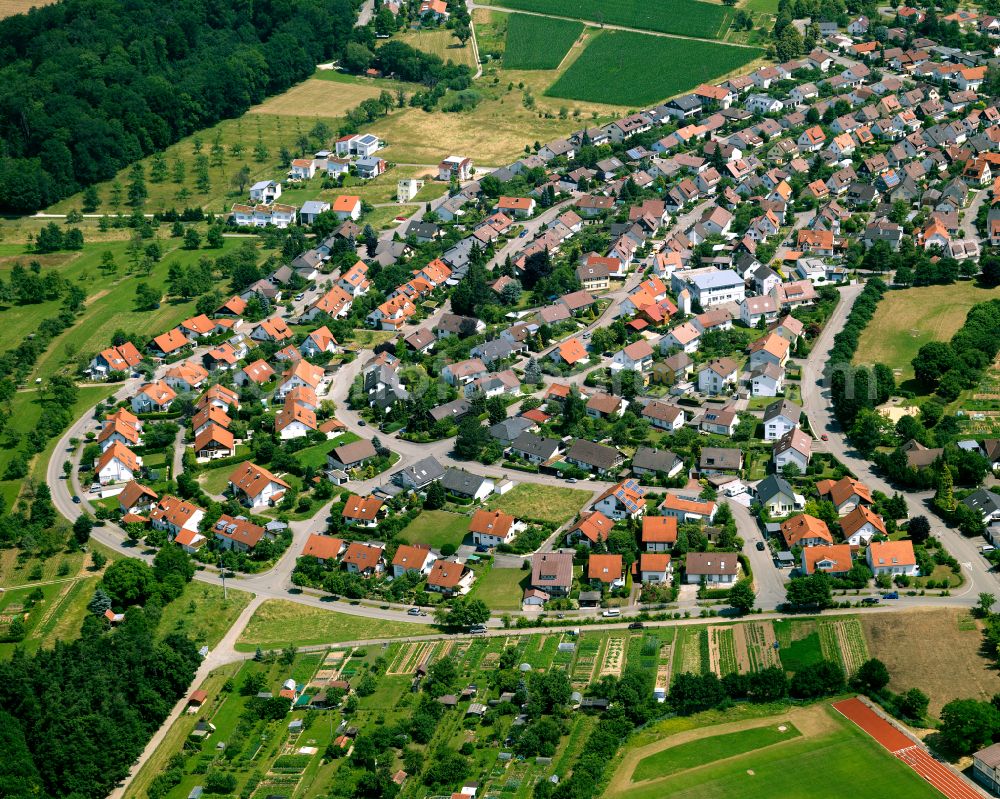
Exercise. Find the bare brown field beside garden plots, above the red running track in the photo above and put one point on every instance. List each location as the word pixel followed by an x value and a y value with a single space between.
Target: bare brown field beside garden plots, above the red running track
pixel 945 665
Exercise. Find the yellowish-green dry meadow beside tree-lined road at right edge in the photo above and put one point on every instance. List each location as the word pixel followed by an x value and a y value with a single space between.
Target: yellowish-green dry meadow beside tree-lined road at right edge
pixel 907 319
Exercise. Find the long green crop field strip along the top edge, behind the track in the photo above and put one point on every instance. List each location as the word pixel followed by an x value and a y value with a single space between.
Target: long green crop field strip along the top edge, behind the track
pixel 683 17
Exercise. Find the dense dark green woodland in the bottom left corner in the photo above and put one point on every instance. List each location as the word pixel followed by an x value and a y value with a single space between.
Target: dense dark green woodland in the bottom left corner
pixel 74 718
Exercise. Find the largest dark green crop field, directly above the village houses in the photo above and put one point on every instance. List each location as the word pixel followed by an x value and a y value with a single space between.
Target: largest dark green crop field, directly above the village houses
pixel 615 68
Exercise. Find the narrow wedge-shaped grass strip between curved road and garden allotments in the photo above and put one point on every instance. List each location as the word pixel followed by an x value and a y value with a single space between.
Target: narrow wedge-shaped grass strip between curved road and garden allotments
pixel 279 622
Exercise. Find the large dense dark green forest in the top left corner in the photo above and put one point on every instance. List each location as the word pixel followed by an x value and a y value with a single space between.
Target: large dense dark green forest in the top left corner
pixel 92 85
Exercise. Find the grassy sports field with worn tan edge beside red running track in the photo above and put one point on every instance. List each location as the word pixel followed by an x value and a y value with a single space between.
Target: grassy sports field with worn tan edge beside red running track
pixel 830 759
